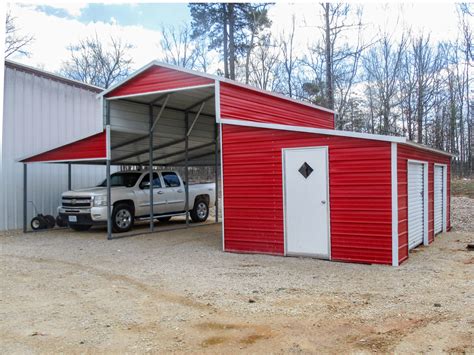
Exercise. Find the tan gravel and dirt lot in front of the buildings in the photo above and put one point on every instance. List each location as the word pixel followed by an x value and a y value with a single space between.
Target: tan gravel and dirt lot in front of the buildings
pixel 176 291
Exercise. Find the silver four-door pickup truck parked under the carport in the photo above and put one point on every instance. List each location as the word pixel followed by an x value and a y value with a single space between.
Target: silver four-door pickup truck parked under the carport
pixel 130 192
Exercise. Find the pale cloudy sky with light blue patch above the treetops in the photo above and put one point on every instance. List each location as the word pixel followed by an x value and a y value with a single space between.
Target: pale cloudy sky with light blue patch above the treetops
pixel 56 25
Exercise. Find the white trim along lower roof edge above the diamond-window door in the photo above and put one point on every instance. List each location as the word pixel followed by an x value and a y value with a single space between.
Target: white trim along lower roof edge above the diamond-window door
pixel 329 132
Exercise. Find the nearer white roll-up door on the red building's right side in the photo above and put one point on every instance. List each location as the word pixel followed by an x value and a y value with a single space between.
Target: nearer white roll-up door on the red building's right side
pixel 415 204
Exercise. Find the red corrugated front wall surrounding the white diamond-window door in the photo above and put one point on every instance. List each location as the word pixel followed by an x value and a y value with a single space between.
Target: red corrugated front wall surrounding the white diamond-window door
pixel 360 192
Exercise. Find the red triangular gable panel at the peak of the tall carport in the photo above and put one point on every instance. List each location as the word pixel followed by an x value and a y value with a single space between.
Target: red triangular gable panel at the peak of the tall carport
pixel 158 78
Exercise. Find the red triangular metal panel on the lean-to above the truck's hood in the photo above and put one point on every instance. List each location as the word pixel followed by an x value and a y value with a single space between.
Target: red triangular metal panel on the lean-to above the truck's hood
pixel 93 147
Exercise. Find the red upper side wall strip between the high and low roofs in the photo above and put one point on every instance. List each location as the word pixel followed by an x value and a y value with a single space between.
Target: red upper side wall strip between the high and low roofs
pixel 249 105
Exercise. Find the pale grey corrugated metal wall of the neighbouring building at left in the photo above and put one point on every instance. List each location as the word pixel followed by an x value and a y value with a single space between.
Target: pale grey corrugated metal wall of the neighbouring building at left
pixel 39 114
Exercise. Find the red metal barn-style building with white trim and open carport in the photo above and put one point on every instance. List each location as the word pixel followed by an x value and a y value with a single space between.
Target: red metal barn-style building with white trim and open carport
pixel 291 183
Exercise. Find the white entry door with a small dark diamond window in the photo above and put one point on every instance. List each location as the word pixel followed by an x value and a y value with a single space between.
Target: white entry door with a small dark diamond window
pixel 306 201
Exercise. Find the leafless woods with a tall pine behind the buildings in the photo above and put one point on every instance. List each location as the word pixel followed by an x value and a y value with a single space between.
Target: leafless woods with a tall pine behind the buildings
pixel 398 82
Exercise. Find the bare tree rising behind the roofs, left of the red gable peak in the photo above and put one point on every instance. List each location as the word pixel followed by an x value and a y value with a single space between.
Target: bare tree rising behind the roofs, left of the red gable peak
pixel 95 63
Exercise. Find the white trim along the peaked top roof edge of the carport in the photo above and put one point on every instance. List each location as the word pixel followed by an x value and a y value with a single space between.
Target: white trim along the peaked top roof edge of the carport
pixel 212 77
